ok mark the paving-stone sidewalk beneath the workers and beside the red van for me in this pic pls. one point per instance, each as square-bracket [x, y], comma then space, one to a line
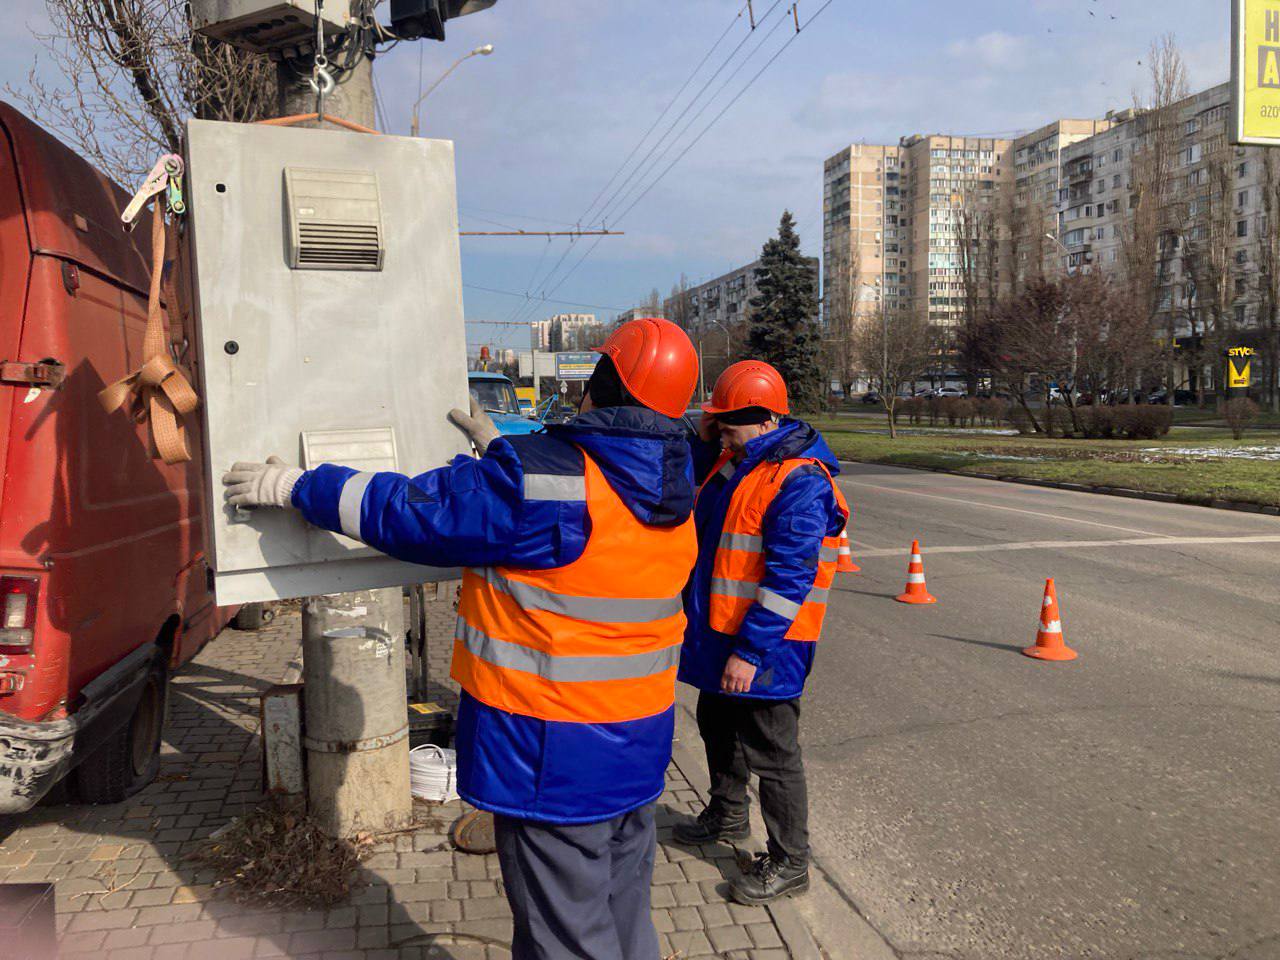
[126, 892]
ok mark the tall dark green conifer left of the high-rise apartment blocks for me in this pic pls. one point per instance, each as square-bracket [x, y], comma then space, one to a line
[784, 322]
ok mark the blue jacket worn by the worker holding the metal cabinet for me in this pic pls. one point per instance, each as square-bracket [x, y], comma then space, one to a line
[476, 514]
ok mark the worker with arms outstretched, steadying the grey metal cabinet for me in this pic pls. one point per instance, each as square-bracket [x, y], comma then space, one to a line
[577, 545]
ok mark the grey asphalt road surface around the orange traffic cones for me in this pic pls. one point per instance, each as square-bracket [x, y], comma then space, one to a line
[971, 803]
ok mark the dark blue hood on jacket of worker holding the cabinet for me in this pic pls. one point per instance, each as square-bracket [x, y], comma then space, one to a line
[643, 455]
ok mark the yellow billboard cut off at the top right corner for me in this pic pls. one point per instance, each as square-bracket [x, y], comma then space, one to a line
[1256, 72]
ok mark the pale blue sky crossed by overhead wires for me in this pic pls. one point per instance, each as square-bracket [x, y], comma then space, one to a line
[543, 124]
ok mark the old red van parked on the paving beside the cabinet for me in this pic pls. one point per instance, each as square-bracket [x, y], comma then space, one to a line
[103, 572]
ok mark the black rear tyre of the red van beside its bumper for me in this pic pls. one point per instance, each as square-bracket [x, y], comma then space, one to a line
[130, 758]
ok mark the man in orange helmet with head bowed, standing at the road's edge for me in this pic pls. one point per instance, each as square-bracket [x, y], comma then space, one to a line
[770, 520]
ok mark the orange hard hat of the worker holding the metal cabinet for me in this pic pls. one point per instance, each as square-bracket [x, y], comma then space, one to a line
[656, 362]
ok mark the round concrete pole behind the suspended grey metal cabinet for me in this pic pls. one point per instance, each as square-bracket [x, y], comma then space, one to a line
[353, 644]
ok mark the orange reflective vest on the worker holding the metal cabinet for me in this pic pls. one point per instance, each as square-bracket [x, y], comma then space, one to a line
[593, 642]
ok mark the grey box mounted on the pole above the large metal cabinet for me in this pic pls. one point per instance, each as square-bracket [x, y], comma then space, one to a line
[267, 26]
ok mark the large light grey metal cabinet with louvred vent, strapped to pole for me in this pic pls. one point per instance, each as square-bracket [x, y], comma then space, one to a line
[330, 314]
